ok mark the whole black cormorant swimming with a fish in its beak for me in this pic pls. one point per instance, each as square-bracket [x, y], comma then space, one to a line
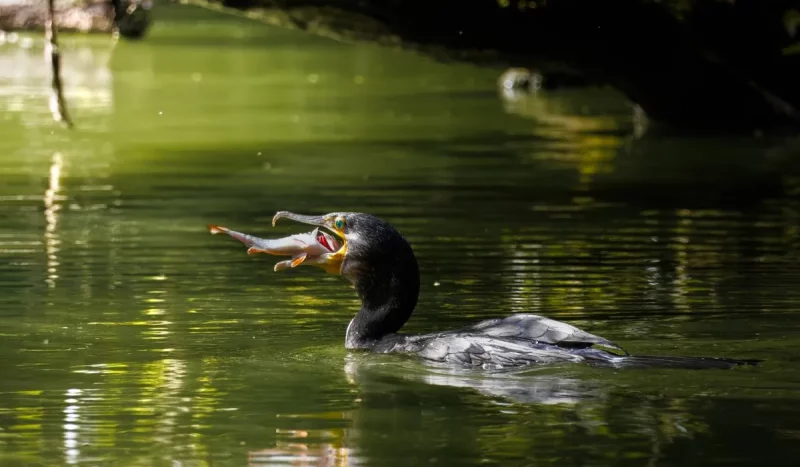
[381, 265]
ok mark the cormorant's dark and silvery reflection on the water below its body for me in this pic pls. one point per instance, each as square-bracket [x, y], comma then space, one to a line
[531, 413]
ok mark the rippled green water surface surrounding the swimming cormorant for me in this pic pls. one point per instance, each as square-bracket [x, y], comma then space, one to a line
[129, 336]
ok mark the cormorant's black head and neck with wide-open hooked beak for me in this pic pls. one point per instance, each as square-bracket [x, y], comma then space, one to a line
[379, 262]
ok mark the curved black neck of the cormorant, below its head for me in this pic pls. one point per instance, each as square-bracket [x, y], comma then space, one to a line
[387, 282]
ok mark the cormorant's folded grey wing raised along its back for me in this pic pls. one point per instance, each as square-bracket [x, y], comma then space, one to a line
[540, 329]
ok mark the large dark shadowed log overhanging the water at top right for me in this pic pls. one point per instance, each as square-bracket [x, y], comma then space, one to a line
[689, 63]
